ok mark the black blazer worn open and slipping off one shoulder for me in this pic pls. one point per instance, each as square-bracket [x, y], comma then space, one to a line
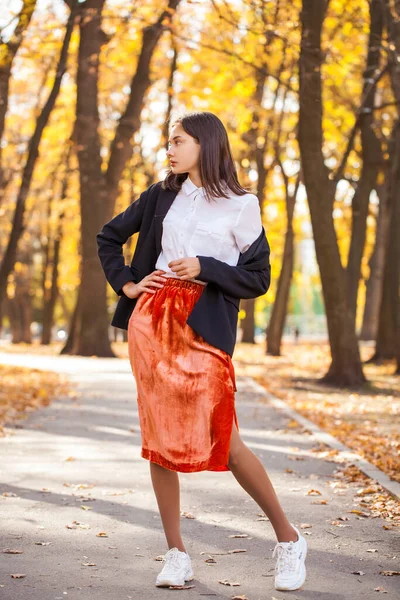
[215, 314]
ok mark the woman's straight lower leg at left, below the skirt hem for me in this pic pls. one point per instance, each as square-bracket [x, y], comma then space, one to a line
[166, 489]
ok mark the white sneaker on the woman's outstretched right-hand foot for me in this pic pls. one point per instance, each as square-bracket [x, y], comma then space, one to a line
[290, 569]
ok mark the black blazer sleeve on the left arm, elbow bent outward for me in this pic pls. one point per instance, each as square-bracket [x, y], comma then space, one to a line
[111, 239]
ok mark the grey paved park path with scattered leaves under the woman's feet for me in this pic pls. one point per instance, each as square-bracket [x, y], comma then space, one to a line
[76, 499]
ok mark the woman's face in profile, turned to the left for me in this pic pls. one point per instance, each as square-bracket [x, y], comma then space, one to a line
[183, 152]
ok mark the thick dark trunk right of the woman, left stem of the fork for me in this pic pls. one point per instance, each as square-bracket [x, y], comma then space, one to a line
[345, 369]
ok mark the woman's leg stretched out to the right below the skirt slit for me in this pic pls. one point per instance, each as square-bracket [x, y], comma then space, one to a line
[252, 476]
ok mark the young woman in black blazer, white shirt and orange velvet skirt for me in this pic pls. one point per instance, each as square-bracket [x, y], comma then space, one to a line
[201, 248]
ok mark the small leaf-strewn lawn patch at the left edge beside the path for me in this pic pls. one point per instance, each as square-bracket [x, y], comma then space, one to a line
[24, 390]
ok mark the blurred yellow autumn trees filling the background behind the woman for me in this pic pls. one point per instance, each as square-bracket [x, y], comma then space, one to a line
[310, 94]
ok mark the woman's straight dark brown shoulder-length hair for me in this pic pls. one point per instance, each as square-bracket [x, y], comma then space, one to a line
[217, 169]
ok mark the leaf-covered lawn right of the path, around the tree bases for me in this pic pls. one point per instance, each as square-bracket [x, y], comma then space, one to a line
[366, 420]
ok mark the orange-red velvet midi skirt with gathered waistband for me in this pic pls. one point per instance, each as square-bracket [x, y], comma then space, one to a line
[185, 386]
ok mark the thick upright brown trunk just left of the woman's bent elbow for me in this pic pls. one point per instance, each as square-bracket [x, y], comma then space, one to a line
[90, 334]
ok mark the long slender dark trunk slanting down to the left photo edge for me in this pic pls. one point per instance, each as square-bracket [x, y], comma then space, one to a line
[8, 261]
